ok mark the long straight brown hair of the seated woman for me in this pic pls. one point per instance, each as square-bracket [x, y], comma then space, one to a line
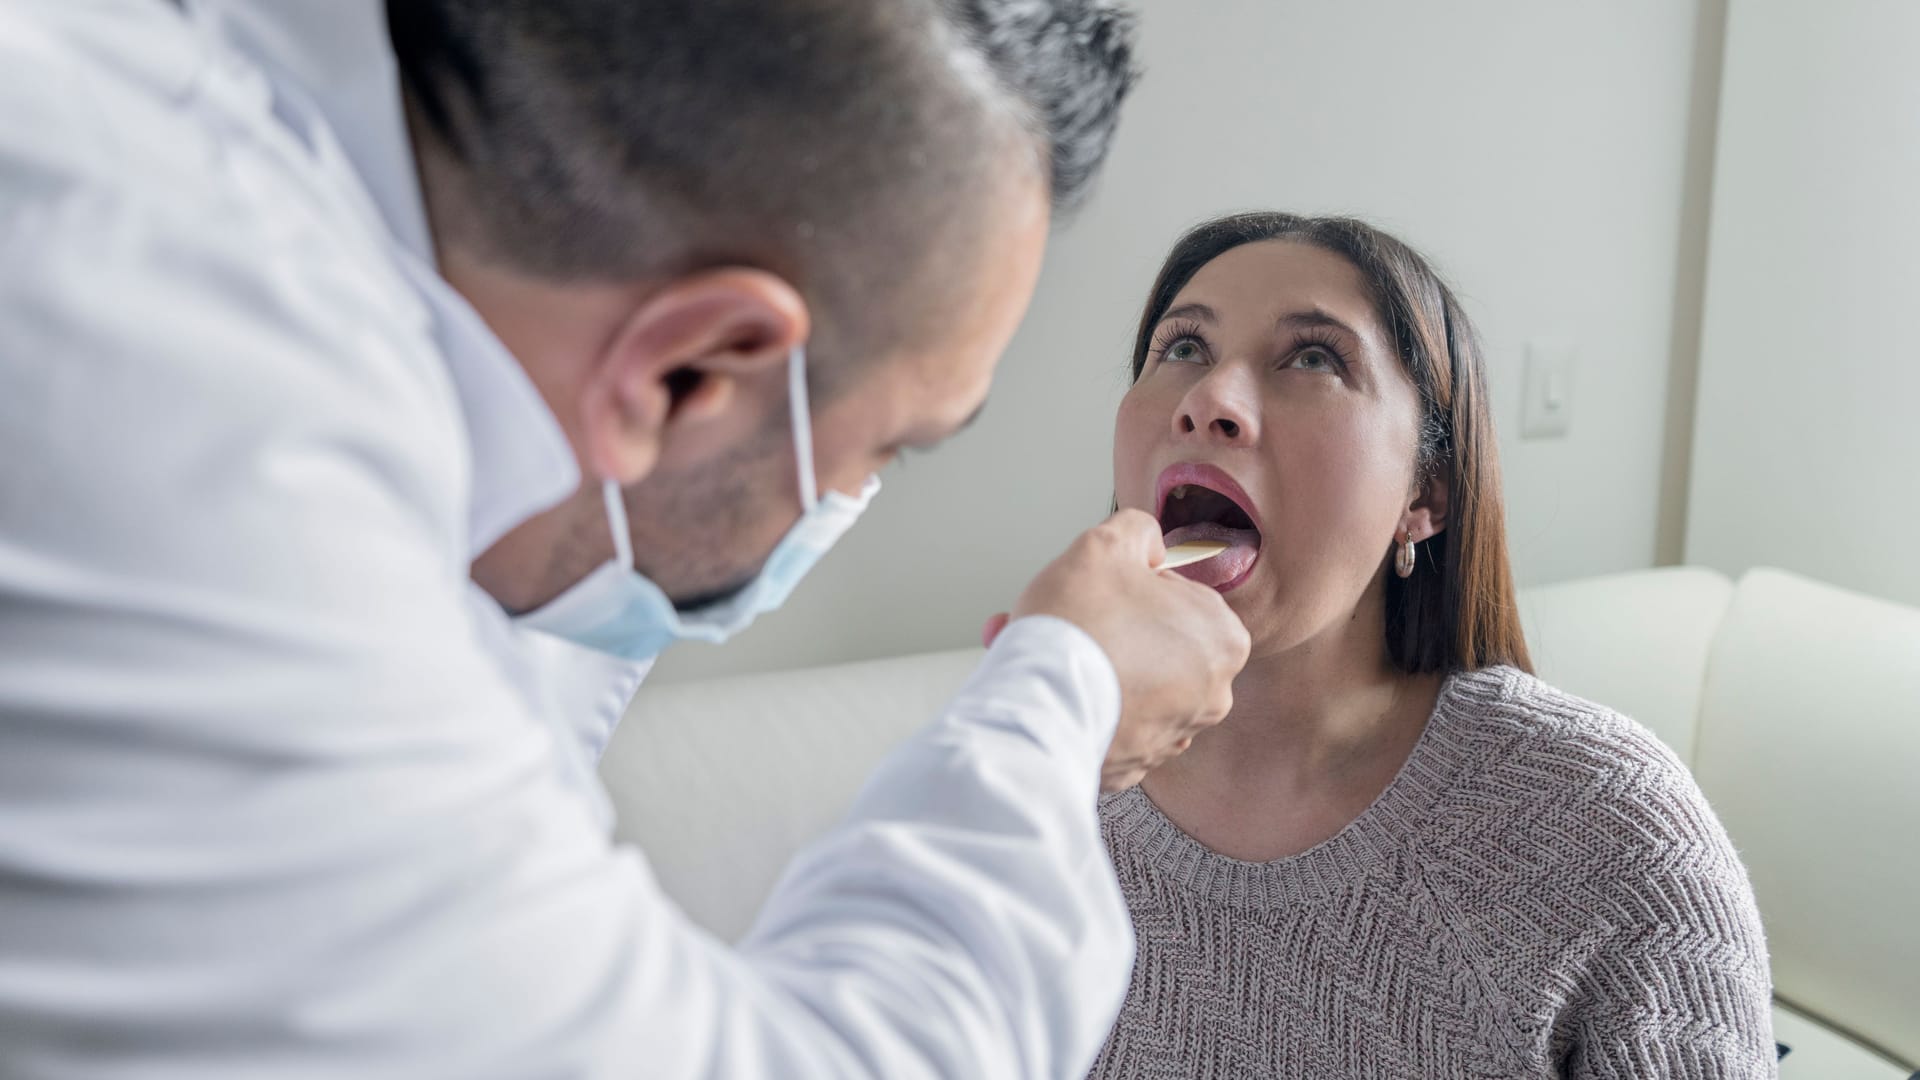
[1458, 610]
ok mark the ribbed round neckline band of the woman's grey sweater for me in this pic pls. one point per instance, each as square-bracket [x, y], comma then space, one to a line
[1366, 847]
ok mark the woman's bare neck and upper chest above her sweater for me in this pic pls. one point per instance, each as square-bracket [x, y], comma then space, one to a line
[1314, 737]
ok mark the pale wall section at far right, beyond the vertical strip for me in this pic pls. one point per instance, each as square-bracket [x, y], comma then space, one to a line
[1808, 437]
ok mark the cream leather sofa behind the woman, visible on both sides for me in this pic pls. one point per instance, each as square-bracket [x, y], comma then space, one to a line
[1796, 704]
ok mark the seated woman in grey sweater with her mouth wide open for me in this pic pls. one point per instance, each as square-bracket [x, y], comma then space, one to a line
[1403, 854]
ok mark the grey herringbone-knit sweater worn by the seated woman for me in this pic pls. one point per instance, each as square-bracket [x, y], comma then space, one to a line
[1541, 893]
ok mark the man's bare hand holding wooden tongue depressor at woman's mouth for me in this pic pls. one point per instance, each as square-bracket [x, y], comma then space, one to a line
[1174, 645]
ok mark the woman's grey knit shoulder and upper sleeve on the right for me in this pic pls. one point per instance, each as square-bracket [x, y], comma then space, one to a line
[1583, 843]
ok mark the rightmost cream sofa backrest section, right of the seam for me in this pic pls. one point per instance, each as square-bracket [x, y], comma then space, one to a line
[1810, 750]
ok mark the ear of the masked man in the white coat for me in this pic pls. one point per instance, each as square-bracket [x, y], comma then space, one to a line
[679, 364]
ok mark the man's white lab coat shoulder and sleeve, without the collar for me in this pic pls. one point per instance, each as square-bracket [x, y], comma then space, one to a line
[268, 804]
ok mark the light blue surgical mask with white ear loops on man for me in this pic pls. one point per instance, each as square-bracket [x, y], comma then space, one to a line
[621, 612]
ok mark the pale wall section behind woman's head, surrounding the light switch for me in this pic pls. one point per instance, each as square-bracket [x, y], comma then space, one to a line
[1539, 153]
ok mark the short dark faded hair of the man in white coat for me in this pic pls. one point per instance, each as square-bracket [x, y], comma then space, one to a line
[846, 145]
